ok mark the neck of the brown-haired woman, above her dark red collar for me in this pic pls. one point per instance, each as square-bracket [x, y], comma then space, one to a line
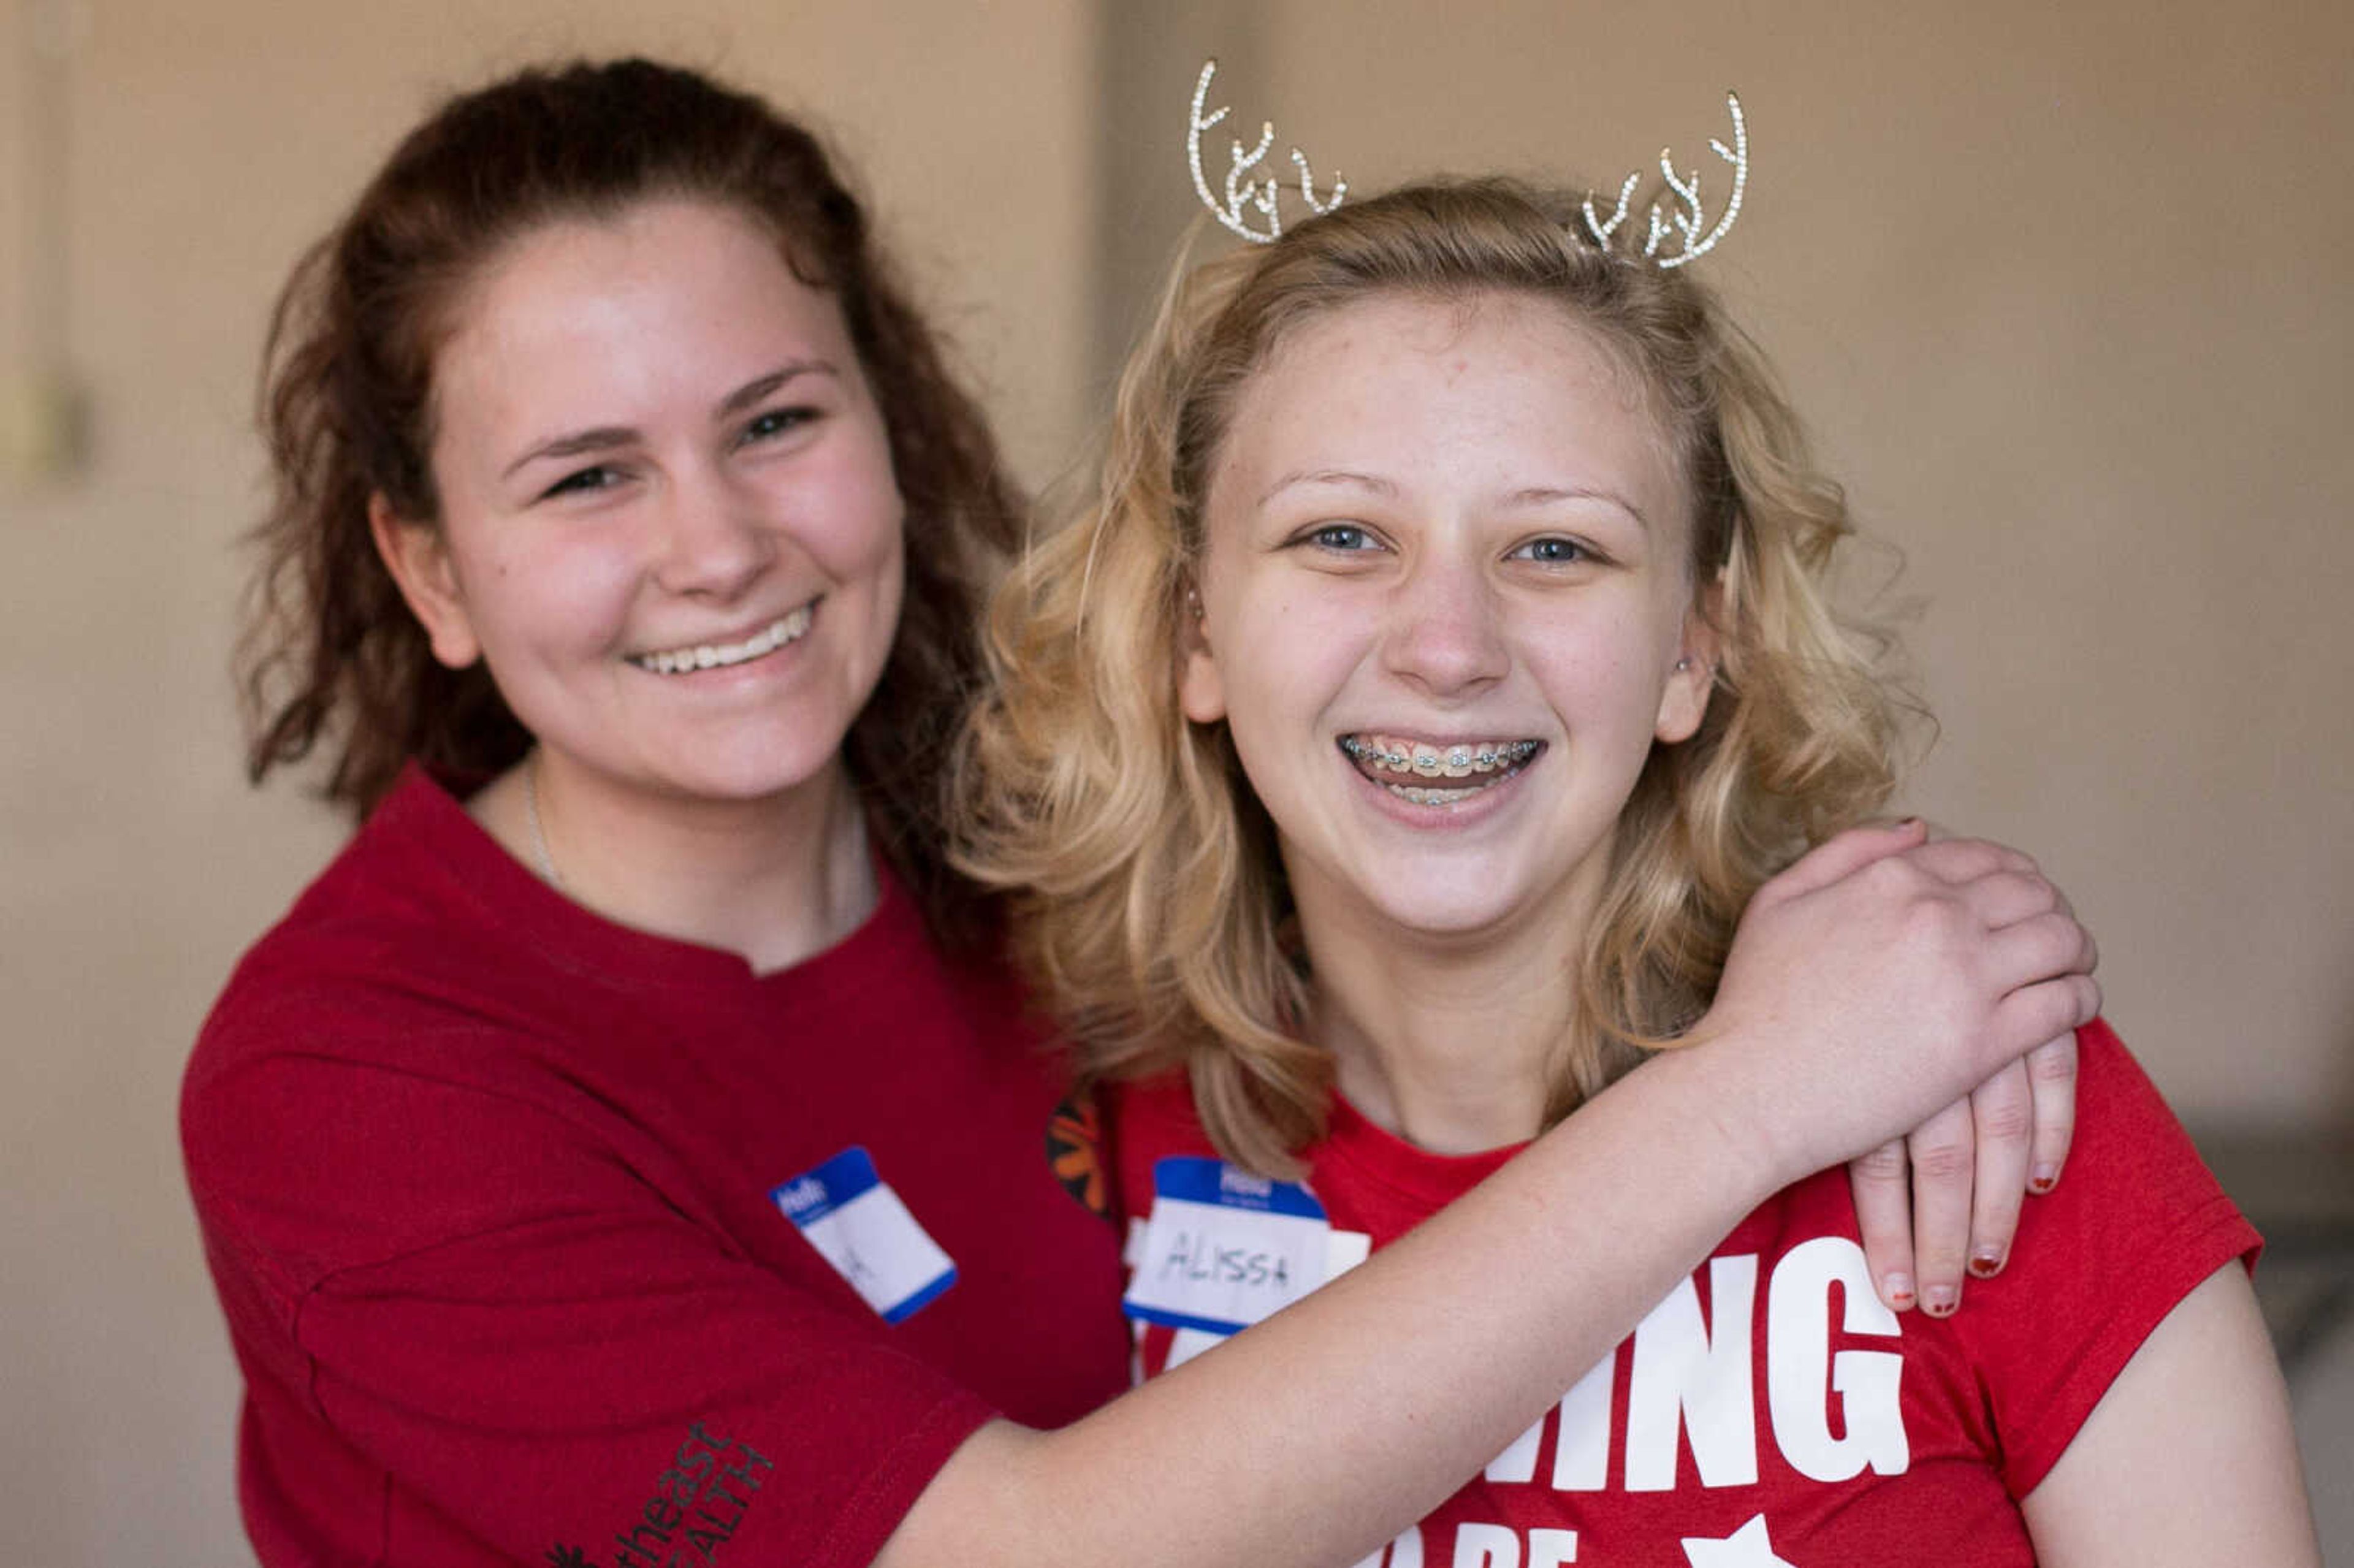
[773, 879]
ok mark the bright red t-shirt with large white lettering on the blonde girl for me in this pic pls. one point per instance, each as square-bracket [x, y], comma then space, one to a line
[1771, 1411]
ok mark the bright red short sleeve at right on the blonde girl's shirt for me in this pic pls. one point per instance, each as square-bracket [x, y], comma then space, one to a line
[2099, 1263]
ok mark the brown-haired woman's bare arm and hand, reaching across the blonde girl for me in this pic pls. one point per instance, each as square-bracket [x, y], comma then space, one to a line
[1312, 1437]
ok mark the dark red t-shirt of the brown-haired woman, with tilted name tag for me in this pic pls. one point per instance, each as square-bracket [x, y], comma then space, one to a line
[507, 1204]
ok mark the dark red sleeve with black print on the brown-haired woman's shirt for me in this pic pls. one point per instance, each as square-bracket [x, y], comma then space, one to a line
[526, 1348]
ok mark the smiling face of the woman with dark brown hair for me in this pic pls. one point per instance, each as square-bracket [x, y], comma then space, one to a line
[670, 519]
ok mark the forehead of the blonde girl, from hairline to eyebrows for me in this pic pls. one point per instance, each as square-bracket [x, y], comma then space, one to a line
[1491, 387]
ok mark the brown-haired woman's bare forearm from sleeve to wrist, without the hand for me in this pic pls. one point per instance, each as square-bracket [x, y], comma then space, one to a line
[1329, 1428]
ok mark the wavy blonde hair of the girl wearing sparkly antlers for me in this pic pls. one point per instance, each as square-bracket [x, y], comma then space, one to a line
[1150, 901]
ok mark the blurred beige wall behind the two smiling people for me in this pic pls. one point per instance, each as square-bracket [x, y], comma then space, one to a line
[2066, 293]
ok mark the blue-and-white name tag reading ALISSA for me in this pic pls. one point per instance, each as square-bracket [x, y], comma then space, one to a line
[1225, 1249]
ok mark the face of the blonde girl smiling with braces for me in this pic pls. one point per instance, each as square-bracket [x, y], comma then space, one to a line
[1444, 602]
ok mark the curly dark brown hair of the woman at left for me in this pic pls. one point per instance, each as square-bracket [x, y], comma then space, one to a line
[333, 656]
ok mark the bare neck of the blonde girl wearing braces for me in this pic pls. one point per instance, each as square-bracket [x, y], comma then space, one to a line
[1444, 1039]
